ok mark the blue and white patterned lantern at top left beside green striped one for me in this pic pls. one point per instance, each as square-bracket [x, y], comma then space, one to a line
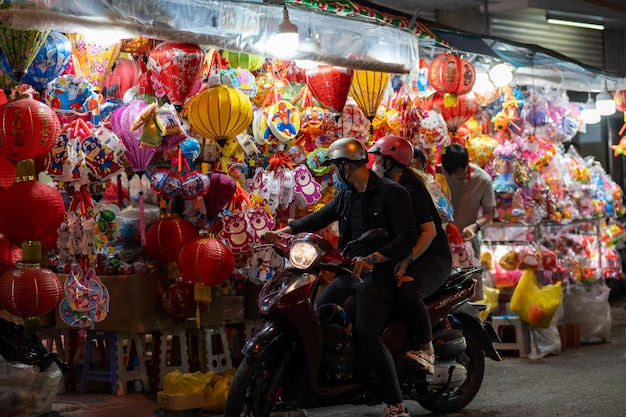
[50, 60]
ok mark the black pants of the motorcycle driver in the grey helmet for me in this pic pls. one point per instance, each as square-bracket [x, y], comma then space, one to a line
[374, 303]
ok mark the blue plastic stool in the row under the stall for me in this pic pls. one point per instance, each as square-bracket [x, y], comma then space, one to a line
[109, 373]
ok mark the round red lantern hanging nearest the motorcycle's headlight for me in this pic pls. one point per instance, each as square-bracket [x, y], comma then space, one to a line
[206, 260]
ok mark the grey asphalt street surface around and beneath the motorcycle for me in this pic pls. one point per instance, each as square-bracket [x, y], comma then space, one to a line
[585, 381]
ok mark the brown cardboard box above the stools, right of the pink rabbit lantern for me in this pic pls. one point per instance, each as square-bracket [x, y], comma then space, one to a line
[134, 304]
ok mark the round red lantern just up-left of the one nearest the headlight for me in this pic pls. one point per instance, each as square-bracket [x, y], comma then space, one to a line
[166, 238]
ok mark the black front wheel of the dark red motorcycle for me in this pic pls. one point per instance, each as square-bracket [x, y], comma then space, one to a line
[255, 387]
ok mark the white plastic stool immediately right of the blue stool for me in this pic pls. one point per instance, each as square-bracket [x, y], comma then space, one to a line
[133, 365]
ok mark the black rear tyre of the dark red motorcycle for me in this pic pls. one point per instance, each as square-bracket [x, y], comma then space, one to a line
[437, 402]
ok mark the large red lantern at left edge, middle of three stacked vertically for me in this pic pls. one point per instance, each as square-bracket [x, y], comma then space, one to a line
[29, 209]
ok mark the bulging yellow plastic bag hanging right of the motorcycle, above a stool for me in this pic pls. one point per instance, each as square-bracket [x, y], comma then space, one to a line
[533, 303]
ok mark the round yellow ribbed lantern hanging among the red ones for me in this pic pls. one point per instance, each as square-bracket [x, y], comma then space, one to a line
[220, 113]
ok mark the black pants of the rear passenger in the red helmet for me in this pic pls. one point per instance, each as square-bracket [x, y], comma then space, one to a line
[428, 274]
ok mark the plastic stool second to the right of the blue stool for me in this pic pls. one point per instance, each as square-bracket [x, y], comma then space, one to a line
[173, 353]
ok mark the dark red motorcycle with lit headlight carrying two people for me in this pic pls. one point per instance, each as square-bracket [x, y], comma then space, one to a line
[298, 358]
